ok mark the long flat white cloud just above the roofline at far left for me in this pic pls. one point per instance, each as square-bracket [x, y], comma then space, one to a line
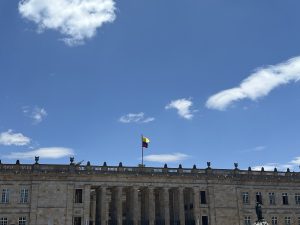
[50, 153]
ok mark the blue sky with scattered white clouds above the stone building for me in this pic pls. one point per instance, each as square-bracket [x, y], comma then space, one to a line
[203, 80]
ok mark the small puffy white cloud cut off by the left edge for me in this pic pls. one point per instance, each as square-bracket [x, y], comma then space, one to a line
[11, 138]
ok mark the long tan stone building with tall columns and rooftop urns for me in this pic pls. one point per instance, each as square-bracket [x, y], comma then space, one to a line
[73, 194]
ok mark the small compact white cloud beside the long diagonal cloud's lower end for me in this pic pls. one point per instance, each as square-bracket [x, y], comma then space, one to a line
[183, 107]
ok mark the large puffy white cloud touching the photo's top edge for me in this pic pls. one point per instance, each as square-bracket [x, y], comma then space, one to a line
[77, 20]
